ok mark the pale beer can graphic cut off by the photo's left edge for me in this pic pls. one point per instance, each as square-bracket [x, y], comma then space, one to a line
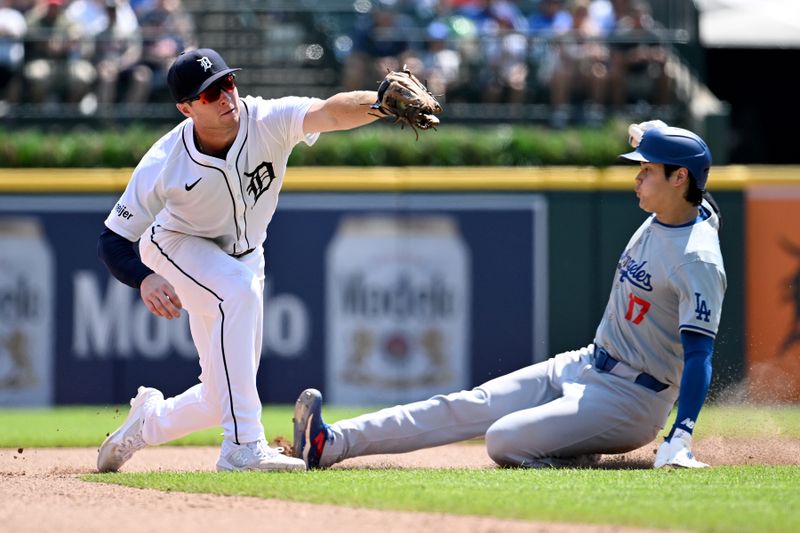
[26, 309]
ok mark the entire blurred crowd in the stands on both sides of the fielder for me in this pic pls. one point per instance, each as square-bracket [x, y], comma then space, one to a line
[586, 58]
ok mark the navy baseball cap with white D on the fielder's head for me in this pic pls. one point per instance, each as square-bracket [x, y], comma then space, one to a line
[194, 71]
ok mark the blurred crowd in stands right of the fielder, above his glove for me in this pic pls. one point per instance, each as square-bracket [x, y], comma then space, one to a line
[584, 57]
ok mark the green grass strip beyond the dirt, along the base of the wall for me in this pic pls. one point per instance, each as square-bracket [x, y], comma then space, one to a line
[88, 426]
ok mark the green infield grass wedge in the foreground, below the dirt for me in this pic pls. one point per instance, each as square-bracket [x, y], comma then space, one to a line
[758, 499]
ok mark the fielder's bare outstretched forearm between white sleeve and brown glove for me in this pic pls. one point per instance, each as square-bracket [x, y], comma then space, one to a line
[342, 111]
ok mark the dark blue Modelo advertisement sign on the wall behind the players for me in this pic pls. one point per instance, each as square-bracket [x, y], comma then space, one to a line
[373, 298]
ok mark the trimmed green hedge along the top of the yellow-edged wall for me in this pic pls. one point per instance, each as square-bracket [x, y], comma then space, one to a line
[375, 145]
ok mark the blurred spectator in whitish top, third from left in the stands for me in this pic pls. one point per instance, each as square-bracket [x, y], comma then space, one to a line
[118, 49]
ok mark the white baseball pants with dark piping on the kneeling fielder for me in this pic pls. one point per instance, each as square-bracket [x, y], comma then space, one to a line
[224, 298]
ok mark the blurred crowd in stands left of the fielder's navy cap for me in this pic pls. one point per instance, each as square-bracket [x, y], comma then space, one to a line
[89, 52]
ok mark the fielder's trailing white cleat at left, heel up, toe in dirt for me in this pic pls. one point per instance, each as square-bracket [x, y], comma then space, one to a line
[127, 439]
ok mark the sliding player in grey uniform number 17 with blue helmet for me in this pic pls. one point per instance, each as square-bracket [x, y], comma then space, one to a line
[654, 341]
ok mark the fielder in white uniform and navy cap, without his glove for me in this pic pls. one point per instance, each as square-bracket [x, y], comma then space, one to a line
[199, 204]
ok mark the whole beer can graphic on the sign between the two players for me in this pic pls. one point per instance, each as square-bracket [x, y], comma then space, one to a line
[398, 308]
